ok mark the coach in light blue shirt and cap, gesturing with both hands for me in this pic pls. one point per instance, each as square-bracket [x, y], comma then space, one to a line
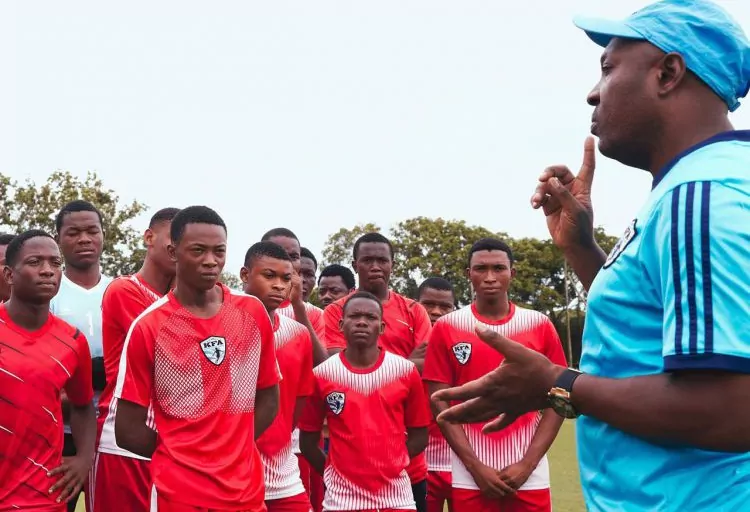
[664, 397]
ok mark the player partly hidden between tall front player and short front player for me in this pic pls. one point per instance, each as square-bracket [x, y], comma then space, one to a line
[267, 274]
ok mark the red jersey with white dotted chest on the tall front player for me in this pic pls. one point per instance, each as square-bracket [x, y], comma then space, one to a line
[202, 375]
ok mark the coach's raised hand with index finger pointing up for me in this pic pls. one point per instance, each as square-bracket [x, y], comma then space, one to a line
[566, 201]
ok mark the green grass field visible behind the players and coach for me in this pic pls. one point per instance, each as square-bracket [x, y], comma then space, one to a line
[566, 488]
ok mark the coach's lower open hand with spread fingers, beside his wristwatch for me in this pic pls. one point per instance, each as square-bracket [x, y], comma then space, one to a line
[519, 385]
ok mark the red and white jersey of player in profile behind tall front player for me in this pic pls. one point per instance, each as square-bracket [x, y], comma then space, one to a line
[124, 299]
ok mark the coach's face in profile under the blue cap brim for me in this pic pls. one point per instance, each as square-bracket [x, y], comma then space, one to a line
[624, 116]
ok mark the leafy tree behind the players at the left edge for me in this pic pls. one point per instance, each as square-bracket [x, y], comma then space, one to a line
[32, 206]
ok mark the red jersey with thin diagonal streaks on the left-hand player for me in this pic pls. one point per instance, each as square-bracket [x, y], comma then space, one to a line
[35, 366]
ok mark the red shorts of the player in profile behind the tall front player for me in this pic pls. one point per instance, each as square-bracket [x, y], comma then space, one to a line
[119, 482]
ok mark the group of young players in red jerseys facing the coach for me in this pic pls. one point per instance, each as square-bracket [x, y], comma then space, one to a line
[165, 390]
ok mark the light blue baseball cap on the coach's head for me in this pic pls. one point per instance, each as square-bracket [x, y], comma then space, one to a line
[712, 43]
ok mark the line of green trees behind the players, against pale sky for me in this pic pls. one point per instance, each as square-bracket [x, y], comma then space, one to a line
[424, 247]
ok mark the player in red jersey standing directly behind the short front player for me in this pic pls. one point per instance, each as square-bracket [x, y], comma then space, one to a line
[407, 325]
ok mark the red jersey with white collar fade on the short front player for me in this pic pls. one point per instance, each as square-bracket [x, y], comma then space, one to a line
[368, 412]
